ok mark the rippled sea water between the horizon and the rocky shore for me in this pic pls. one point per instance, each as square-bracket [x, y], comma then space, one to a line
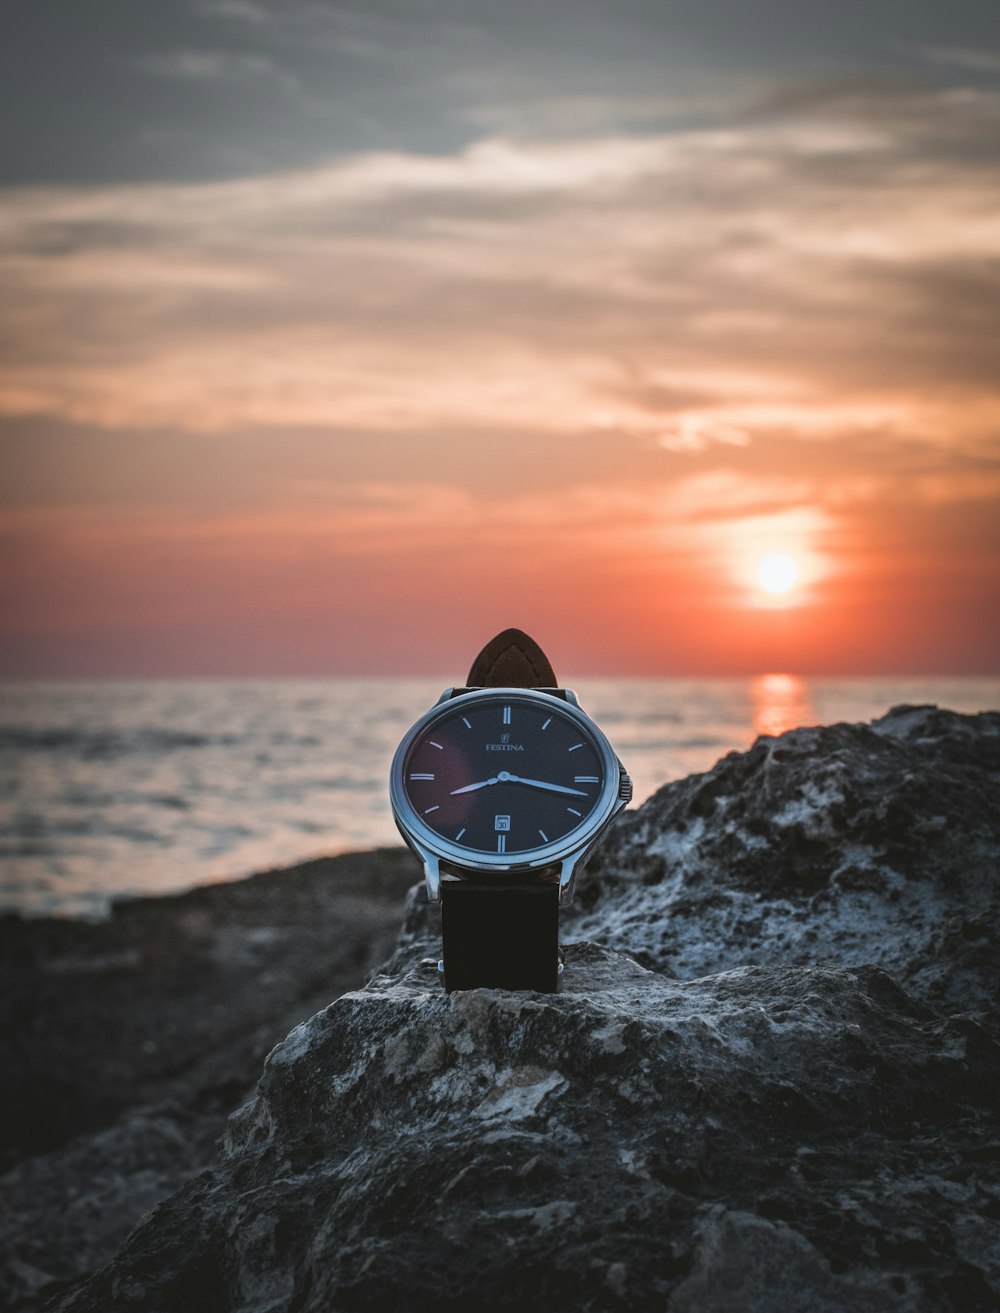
[148, 787]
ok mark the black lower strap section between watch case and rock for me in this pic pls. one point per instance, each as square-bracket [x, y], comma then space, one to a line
[501, 937]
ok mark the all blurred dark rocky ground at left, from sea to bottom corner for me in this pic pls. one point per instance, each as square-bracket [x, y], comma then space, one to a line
[128, 1043]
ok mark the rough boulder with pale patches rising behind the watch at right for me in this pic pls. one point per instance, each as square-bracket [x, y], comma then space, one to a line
[842, 845]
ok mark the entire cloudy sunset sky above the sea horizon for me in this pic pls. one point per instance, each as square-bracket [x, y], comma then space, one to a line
[335, 339]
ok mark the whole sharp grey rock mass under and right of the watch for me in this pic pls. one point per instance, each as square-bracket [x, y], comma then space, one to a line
[775, 1085]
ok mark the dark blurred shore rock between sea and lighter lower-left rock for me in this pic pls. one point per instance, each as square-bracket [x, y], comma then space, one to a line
[179, 1000]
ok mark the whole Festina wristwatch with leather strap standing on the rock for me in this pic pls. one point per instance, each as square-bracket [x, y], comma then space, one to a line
[503, 790]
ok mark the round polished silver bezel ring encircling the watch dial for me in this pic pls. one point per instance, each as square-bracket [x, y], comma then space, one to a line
[415, 830]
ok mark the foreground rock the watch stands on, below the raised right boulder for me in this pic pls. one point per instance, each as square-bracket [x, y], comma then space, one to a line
[763, 1139]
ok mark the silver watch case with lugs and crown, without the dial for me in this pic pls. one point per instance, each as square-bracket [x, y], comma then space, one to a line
[569, 854]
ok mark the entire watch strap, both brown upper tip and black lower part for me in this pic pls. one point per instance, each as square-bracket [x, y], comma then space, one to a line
[502, 936]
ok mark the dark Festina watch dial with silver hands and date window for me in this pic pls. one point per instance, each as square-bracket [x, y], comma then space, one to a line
[505, 775]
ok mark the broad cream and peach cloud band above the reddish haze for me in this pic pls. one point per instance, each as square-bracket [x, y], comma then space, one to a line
[696, 290]
